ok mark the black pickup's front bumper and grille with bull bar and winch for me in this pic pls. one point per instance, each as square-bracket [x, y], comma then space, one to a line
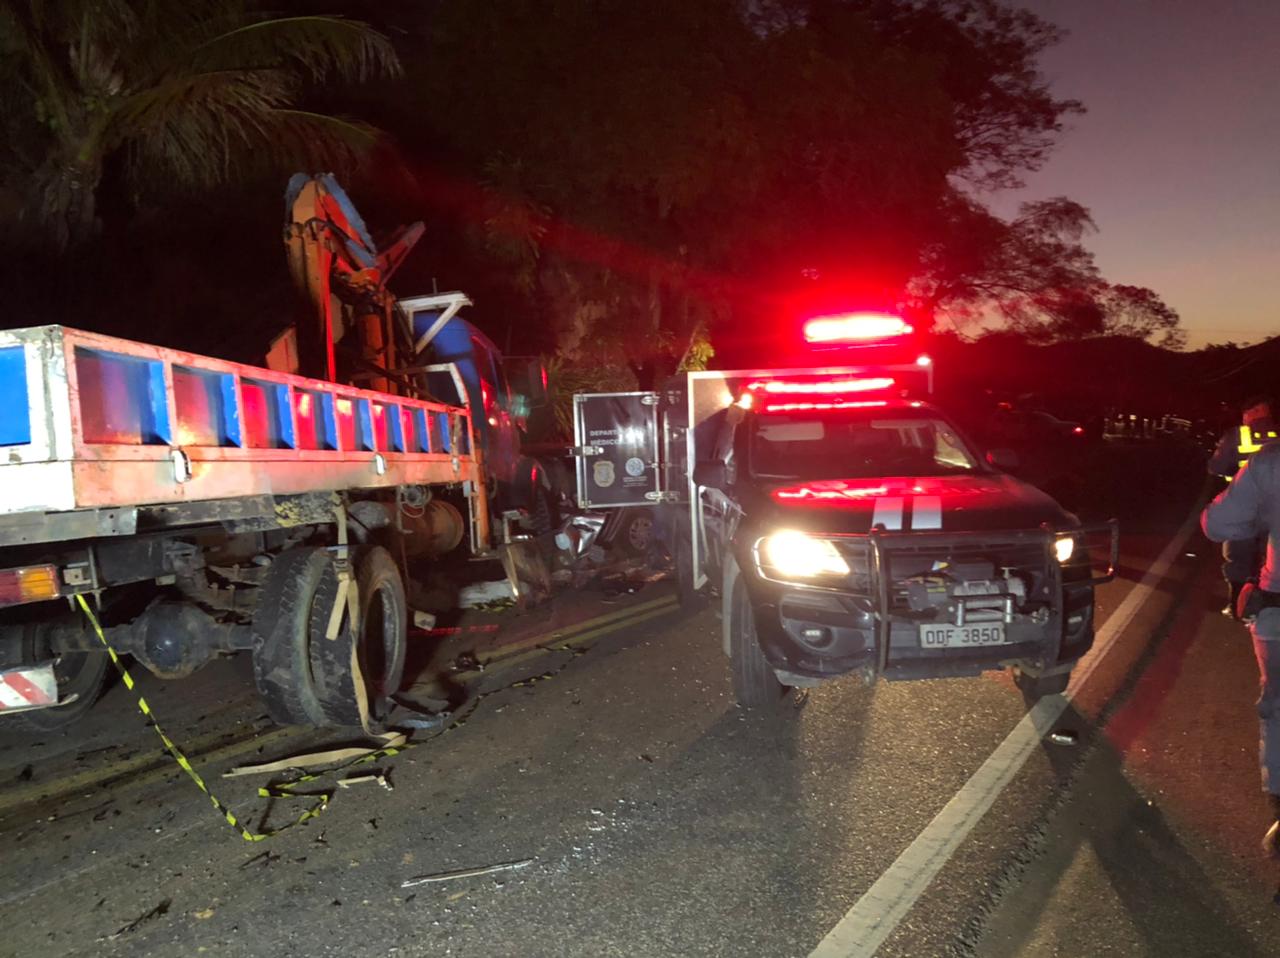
[927, 605]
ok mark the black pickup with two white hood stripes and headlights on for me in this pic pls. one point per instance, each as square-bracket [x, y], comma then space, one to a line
[868, 536]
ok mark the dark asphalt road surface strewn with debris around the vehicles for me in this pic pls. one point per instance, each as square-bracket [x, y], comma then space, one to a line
[659, 819]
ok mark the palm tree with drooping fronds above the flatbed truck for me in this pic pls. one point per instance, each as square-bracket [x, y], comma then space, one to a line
[181, 93]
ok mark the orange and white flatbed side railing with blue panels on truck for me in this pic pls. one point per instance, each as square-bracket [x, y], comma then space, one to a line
[93, 422]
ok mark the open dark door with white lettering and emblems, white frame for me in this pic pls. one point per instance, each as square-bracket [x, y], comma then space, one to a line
[616, 440]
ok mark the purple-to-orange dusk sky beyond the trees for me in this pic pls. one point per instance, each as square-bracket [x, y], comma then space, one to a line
[1180, 153]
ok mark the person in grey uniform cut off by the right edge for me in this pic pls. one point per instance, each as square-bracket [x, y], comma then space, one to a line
[1246, 510]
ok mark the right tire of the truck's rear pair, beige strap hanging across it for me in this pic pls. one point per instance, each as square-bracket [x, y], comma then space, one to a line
[382, 641]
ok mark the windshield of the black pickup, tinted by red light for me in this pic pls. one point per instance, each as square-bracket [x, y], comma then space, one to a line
[856, 445]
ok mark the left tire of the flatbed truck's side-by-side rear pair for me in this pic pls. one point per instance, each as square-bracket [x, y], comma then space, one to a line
[282, 635]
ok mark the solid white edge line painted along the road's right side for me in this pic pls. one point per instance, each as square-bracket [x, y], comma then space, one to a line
[877, 914]
